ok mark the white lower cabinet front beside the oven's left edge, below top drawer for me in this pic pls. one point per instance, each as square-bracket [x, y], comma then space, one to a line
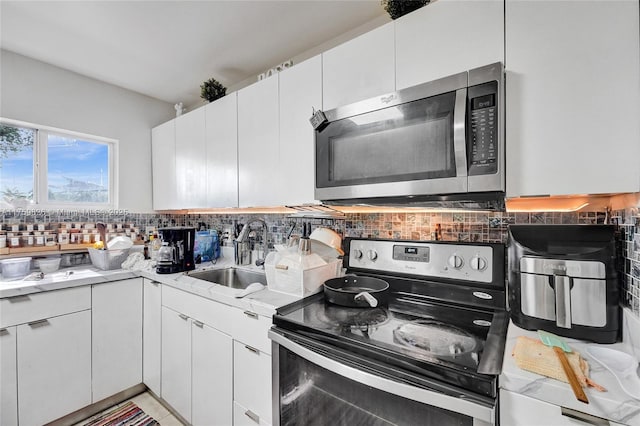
[252, 379]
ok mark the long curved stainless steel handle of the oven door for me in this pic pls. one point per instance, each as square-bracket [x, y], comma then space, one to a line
[451, 403]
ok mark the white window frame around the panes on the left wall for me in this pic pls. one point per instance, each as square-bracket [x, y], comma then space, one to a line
[40, 172]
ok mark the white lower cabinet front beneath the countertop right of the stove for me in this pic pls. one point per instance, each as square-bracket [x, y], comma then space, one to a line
[521, 410]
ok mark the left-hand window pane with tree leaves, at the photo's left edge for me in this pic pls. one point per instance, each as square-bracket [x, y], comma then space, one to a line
[16, 165]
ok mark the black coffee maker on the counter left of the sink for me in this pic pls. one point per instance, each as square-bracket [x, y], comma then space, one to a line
[176, 252]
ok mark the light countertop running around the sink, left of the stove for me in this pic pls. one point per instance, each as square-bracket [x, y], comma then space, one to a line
[263, 302]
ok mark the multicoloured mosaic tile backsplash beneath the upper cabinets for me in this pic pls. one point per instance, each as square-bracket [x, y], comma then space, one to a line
[455, 226]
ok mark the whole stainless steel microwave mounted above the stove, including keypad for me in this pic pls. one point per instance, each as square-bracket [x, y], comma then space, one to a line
[436, 142]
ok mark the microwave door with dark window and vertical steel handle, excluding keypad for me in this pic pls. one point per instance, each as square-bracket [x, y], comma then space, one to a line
[411, 142]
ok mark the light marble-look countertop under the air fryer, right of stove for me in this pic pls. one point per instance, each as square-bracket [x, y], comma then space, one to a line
[614, 404]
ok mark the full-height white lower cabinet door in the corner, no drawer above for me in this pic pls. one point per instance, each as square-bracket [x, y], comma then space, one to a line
[116, 337]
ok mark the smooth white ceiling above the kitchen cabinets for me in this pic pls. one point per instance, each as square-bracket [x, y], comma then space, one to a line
[166, 49]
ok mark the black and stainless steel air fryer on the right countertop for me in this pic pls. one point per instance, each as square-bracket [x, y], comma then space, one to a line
[562, 278]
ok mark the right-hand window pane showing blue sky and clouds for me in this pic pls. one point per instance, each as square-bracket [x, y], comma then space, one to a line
[77, 170]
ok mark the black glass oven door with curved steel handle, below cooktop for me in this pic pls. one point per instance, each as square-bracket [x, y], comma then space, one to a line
[316, 384]
